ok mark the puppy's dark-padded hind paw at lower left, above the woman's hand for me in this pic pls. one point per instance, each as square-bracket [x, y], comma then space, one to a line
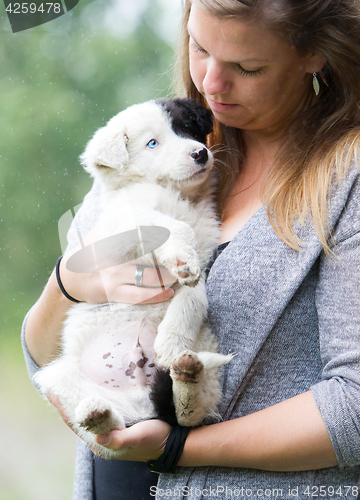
[97, 417]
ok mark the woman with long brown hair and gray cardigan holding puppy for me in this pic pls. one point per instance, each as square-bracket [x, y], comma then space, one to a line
[282, 79]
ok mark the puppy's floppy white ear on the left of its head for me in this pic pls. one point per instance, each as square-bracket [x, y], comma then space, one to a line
[107, 148]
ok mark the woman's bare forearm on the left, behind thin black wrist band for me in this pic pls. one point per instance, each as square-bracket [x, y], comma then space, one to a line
[43, 326]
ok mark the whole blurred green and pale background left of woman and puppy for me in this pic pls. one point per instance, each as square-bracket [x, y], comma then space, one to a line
[59, 82]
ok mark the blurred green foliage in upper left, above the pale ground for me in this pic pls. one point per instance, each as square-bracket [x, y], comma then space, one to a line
[58, 83]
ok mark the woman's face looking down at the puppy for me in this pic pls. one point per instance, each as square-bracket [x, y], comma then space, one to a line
[250, 78]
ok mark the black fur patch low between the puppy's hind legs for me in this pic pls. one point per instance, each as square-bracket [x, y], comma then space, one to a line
[162, 397]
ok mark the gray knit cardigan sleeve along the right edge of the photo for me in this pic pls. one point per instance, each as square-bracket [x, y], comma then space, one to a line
[337, 395]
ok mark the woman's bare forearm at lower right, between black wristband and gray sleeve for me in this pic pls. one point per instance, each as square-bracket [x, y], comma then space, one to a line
[289, 436]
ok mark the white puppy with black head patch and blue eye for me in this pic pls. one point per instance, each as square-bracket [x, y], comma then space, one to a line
[157, 211]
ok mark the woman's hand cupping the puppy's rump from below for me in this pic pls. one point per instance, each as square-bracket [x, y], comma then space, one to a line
[143, 441]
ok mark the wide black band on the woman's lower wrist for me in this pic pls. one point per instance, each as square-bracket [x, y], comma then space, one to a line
[173, 449]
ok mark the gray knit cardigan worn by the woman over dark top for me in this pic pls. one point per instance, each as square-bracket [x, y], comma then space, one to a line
[294, 318]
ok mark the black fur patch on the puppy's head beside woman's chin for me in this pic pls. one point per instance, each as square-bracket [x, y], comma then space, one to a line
[188, 118]
